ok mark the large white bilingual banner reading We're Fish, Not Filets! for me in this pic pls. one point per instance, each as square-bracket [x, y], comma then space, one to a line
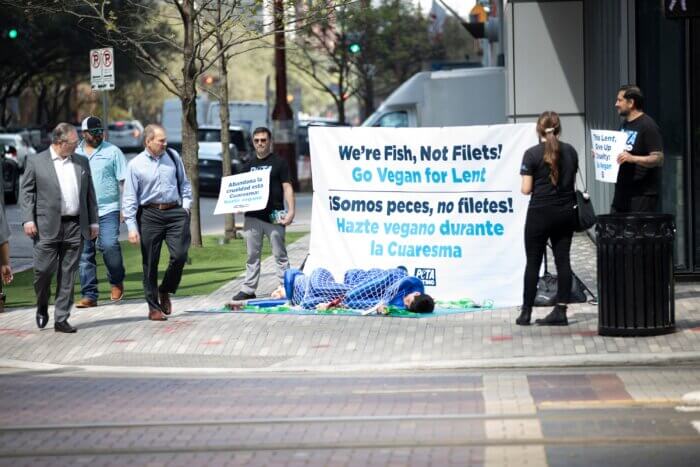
[443, 202]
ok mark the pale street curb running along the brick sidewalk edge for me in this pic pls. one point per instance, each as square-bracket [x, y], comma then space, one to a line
[572, 361]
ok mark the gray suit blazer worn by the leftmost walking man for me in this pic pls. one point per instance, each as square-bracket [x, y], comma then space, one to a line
[40, 195]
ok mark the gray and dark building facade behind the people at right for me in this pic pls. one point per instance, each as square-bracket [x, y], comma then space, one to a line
[571, 56]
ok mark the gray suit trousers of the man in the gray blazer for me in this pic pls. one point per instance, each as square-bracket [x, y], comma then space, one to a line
[59, 255]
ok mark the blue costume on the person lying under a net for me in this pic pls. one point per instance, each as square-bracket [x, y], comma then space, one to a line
[361, 289]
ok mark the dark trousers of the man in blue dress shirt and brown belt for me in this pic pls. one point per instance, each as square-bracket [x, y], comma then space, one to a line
[173, 226]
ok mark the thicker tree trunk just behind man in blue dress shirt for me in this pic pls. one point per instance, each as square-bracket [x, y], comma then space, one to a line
[190, 145]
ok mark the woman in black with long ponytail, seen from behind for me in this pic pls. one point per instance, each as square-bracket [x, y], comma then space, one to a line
[548, 175]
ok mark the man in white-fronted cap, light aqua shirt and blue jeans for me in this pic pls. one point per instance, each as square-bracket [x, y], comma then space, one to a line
[108, 167]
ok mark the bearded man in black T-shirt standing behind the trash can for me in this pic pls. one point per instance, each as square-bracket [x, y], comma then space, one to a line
[637, 187]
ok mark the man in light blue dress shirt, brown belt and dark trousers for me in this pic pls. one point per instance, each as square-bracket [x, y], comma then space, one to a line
[156, 207]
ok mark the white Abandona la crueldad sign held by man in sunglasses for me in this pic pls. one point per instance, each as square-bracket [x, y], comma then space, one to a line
[244, 192]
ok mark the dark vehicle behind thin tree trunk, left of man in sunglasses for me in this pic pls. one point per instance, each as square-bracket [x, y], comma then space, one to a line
[210, 158]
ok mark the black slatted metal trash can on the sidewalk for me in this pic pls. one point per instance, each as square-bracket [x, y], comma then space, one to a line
[635, 274]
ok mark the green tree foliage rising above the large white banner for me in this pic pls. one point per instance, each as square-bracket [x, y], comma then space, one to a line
[393, 40]
